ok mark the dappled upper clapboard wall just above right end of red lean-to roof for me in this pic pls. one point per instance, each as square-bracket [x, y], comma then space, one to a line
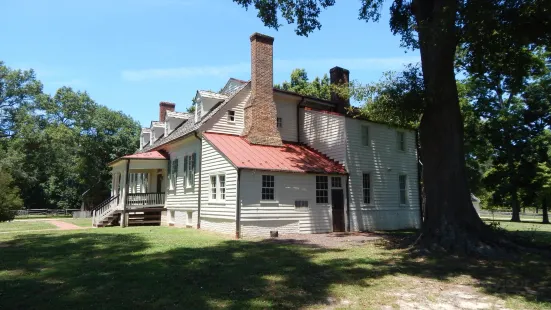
[324, 132]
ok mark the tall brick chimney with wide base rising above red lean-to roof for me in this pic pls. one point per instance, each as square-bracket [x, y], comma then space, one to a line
[260, 111]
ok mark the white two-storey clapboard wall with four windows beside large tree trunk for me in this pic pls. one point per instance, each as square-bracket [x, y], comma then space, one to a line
[385, 163]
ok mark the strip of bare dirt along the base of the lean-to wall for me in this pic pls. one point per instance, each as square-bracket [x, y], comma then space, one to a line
[331, 240]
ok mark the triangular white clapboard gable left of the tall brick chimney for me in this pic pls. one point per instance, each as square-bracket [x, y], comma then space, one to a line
[220, 123]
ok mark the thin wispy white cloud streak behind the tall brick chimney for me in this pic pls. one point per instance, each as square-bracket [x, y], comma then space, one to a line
[280, 65]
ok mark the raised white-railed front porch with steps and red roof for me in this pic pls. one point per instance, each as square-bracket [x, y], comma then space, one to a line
[137, 191]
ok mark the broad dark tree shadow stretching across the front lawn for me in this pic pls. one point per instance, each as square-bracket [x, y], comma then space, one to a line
[125, 271]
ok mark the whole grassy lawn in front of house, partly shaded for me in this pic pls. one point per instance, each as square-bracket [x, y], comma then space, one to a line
[168, 268]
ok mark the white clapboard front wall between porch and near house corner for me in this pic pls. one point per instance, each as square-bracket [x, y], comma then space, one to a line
[183, 199]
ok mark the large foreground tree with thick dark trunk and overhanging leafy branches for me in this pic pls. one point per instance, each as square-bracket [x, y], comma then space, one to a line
[437, 28]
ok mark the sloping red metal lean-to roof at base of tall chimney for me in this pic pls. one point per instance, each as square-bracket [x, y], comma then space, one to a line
[290, 157]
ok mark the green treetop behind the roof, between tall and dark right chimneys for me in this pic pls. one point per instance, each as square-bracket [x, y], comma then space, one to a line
[319, 88]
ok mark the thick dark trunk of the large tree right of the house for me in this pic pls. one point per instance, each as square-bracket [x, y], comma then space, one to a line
[451, 222]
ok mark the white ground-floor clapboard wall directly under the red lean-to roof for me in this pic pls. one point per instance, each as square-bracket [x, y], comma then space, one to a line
[258, 217]
